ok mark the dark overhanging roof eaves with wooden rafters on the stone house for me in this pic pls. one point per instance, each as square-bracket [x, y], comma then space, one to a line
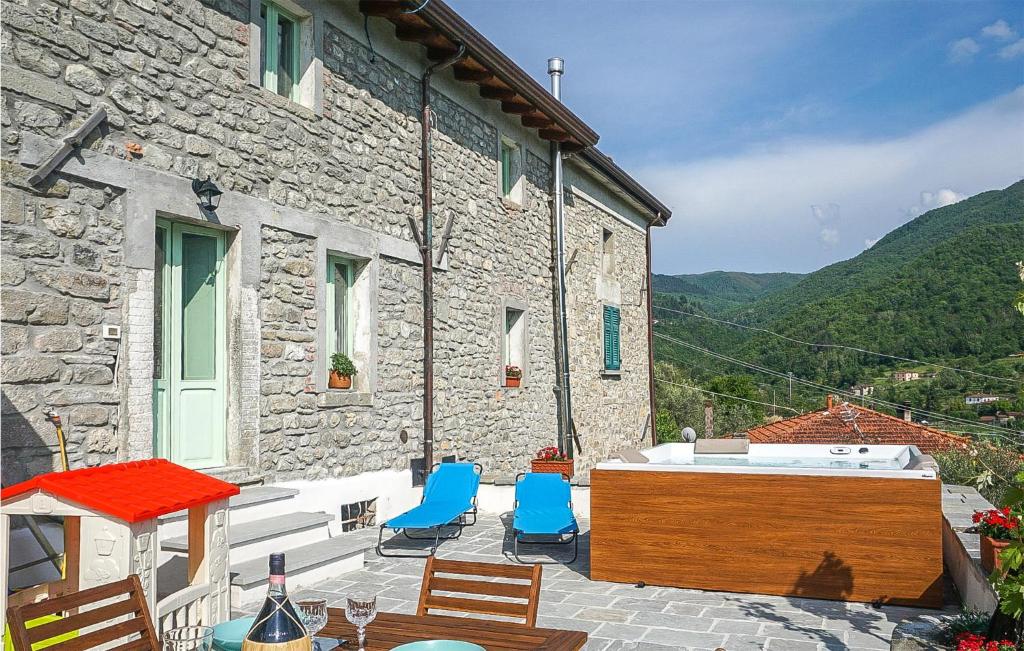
[441, 30]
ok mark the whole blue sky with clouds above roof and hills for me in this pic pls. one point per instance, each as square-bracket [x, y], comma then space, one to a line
[785, 136]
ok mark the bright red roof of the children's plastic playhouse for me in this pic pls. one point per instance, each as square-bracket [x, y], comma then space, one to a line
[132, 492]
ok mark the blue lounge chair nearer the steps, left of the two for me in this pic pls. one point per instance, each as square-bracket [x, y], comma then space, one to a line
[448, 499]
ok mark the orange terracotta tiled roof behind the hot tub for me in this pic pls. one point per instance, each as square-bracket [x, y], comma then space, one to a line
[834, 426]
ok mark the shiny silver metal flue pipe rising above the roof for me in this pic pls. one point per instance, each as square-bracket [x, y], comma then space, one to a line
[556, 68]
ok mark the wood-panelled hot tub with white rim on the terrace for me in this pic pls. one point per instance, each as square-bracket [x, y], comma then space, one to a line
[844, 523]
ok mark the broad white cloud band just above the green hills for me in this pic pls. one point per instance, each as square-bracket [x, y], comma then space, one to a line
[749, 211]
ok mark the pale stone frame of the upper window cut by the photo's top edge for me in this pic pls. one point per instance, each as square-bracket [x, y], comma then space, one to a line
[311, 85]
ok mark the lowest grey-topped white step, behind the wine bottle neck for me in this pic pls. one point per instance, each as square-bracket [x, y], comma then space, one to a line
[307, 567]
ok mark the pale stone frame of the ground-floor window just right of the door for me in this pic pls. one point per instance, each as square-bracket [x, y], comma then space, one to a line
[363, 320]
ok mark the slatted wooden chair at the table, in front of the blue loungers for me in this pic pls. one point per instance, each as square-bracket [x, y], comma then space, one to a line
[517, 600]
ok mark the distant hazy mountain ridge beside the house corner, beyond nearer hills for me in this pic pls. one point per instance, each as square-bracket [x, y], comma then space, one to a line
[719, 291]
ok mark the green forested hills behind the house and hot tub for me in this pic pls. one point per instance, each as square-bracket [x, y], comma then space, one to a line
[940, 290]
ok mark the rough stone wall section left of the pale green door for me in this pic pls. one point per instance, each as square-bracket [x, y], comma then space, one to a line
[61, 282]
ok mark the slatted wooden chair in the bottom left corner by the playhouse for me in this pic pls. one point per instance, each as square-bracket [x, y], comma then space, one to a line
[134, 604]
